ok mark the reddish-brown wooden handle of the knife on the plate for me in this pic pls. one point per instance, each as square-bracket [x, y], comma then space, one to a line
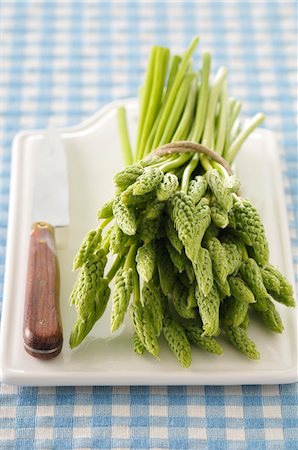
[42, 327]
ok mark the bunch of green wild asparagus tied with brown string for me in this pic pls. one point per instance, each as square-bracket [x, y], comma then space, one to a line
[191, 258]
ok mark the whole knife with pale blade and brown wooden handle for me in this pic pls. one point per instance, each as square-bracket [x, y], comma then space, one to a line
[42, 325]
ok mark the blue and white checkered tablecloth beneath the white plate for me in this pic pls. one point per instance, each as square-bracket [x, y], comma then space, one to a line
[67, 59]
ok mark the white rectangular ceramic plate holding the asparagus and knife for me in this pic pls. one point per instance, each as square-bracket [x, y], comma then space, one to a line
[94, 155]
